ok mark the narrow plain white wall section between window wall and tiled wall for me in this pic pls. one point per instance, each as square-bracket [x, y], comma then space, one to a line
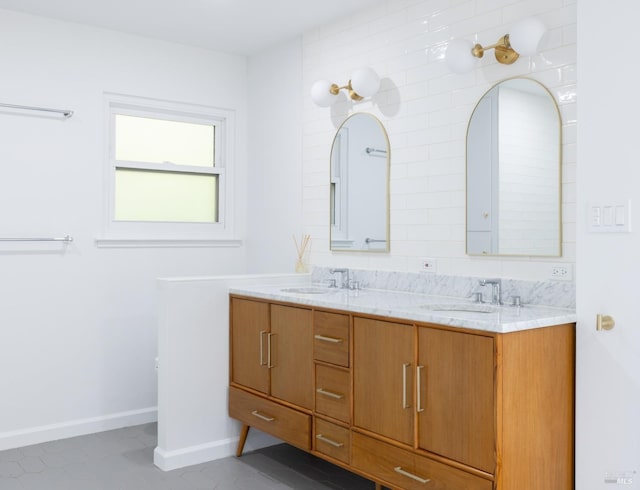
[275, 158]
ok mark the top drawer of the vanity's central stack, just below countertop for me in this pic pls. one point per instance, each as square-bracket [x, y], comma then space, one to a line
[331, 338]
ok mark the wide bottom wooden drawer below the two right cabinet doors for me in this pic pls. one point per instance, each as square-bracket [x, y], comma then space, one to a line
[407, 470]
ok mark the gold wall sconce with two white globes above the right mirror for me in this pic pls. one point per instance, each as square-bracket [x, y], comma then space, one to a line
[524, 39]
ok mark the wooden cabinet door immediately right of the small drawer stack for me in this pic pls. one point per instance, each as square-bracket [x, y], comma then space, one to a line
[383, 378]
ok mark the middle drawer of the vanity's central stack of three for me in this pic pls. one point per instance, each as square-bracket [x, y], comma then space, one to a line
[333, 392]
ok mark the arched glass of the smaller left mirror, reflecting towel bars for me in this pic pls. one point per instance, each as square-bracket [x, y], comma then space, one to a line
[359, 201]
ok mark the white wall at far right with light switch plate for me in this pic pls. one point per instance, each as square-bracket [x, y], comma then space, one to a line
[608, 265]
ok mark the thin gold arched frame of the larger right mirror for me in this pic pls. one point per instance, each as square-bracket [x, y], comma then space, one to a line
[560, 166]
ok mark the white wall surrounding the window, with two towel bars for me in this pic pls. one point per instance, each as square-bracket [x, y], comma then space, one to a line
[78, 326]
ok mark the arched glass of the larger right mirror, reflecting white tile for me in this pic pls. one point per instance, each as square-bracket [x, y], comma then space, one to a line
[514, 172]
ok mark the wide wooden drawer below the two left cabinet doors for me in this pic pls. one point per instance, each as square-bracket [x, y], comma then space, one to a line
[282, 422]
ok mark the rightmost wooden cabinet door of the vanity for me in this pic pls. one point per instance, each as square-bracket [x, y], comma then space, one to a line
[456, 412]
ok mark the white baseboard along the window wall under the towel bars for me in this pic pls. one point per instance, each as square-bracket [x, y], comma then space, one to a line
[73, 428]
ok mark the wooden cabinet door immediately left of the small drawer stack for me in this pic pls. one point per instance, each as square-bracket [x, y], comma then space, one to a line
[292, 355]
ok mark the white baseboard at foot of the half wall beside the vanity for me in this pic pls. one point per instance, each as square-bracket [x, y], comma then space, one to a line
[171, 460]
